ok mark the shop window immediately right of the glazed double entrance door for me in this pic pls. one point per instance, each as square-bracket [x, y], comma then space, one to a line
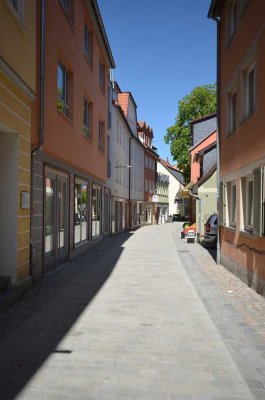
[80, 213]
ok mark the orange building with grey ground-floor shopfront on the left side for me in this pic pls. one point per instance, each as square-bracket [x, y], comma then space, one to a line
[69, 135]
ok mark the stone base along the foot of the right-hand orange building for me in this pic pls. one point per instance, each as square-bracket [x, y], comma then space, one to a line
[248, 277]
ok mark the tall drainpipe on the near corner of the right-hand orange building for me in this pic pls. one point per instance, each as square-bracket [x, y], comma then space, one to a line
[219, 203]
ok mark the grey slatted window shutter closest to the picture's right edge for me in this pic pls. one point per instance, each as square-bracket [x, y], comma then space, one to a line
[258, 201]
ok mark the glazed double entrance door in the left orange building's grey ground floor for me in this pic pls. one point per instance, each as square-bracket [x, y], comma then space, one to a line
[56, 220]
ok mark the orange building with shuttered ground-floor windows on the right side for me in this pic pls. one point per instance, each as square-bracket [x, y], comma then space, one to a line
[242, 139]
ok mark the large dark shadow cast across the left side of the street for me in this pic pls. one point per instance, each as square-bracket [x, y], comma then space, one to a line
[32, 329]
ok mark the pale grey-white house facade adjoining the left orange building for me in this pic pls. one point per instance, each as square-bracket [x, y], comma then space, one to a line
[127, 158]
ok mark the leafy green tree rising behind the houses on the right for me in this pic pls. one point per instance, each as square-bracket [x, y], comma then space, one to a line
[201, 101]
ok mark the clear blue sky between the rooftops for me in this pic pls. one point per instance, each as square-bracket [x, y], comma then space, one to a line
[162, 51]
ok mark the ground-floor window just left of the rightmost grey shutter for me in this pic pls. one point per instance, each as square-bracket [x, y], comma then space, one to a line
[247, 192]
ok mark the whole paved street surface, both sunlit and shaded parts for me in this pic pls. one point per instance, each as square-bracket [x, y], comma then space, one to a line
[141, 316]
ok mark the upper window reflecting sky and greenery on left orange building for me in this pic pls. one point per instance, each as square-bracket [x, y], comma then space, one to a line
[63, 89]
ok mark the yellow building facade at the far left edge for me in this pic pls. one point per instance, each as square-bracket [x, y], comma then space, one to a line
[17, 92]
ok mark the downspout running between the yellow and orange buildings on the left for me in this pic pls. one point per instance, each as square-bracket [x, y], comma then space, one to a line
[41, 111]
